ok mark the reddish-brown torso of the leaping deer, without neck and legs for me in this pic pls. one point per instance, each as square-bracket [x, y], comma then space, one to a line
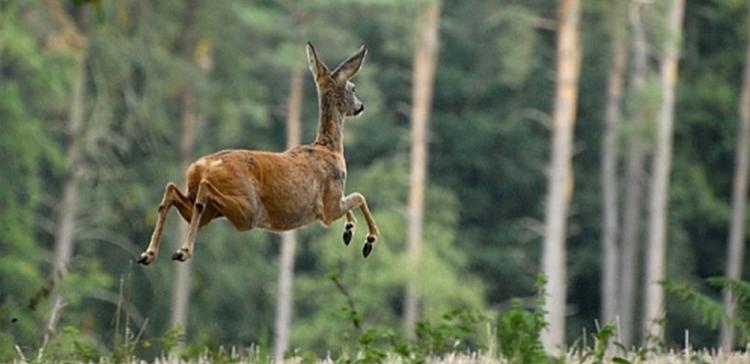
[284, 190]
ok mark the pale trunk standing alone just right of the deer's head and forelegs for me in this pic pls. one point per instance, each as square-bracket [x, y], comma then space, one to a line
[423, 76]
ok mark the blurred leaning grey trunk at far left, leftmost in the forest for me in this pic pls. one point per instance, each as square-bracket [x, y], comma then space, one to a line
[66, 221]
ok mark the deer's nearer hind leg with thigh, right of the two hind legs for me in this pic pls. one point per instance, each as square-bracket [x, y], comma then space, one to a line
[209, 203]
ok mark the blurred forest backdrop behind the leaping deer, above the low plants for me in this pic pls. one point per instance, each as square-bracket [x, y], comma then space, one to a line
[104, 102]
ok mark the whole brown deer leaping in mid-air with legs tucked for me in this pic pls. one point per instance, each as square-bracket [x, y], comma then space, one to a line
[277, 191]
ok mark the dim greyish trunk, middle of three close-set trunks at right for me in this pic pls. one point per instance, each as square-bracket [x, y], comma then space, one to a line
[633, 184]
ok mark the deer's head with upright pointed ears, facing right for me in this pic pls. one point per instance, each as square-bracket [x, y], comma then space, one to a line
[336, 89]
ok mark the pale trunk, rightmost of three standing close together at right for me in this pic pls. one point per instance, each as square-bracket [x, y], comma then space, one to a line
[658, 207]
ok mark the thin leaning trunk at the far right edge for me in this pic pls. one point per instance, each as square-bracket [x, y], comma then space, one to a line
[736, 246]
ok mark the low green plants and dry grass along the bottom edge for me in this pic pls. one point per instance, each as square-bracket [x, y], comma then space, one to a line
[460, 336]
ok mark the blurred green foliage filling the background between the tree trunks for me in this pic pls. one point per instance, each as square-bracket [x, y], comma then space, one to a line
[488, 147]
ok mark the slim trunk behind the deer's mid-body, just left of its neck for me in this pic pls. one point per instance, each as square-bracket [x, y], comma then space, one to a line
[288, 238]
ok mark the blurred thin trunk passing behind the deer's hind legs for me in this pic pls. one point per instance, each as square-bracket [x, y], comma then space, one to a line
[181, 286]
